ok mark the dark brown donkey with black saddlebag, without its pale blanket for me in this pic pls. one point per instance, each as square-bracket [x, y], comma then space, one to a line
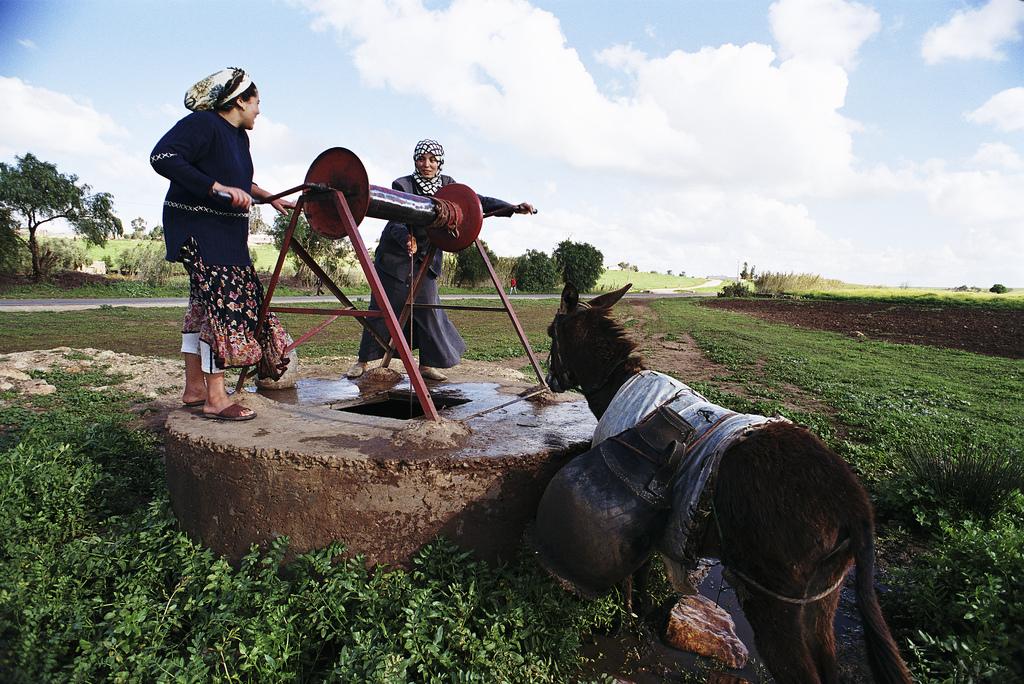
[787, 517]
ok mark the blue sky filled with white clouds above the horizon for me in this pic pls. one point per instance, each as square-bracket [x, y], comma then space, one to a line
[877, 143]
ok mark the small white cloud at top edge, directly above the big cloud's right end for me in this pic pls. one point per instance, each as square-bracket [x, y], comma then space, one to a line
[832, 31]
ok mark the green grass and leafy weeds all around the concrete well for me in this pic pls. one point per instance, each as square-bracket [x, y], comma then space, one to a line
[956, 577]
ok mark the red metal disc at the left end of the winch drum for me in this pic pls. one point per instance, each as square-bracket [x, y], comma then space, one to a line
[339, 169]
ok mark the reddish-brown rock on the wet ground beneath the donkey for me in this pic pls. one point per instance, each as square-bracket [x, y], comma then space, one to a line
[698, 626]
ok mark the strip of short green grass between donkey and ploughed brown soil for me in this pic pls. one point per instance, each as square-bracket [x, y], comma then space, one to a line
[883, 396]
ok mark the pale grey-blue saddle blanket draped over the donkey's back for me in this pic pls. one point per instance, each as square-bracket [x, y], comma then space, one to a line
[708, 433]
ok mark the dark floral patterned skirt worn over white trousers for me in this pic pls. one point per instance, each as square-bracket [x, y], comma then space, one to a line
[224, 309]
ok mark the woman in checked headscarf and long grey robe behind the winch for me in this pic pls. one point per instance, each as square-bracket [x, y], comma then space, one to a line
[440, 344]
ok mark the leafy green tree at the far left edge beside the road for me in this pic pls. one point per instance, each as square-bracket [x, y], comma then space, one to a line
[36, 193]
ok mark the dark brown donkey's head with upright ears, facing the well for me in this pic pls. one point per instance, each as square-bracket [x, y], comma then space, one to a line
[588, 348]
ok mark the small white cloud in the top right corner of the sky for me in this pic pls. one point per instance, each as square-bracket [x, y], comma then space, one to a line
[975, 34]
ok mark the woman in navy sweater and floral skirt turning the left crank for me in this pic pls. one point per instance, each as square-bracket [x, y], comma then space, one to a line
[206, 227]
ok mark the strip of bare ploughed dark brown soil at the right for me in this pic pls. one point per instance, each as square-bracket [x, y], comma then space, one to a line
[997, 332]
